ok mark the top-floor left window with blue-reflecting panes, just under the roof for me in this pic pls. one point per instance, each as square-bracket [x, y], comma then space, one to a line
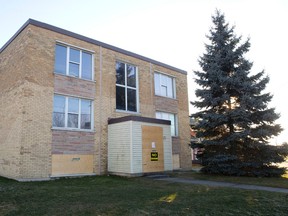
[73, 62]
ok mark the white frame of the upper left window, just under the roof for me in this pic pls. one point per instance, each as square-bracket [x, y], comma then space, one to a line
[80, 63]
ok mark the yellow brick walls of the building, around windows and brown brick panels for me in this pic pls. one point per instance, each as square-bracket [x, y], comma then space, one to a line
[27, 78]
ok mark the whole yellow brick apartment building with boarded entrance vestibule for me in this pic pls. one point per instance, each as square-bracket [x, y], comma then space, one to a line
[71, 105]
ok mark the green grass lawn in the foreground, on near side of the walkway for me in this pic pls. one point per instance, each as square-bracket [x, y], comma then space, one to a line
[110, 195]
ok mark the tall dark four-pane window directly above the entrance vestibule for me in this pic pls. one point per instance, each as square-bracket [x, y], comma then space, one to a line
[126, 87]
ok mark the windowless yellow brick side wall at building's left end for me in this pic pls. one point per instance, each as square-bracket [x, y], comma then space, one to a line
[11, 81]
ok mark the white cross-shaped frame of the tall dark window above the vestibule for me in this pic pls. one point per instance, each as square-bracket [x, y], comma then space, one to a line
[129, 87]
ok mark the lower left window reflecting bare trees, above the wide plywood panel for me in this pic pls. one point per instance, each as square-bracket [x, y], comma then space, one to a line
[71, 112]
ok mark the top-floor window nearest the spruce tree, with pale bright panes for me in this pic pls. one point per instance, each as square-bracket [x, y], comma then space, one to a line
[164, 85]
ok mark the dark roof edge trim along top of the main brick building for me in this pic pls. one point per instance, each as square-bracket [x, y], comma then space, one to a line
[89, 40]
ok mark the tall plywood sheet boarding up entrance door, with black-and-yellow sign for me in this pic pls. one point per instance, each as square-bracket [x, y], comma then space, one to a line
[152, 141]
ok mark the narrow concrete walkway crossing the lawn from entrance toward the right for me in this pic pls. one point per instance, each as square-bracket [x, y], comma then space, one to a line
[221, 184]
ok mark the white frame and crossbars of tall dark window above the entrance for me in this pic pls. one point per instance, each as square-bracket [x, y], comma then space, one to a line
[126, 87]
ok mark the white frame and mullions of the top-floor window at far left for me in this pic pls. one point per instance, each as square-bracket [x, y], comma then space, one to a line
[80, 60]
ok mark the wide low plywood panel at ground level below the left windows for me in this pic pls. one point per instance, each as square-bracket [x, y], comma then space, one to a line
[71, 164]
